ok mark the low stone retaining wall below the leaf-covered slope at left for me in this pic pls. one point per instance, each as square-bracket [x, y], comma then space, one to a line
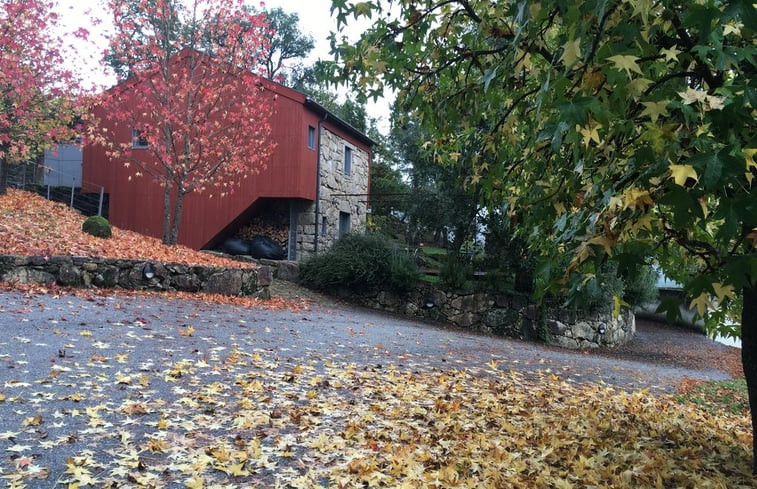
[80, 271]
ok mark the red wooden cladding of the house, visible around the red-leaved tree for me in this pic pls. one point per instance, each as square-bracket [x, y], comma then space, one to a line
[136, 203]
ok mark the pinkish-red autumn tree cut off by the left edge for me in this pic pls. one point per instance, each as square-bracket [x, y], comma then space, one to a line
[36, 107]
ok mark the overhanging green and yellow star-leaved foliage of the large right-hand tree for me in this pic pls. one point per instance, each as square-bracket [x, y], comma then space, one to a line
[610, 129]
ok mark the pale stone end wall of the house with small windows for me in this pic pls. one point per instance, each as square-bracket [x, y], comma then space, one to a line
[340, 194]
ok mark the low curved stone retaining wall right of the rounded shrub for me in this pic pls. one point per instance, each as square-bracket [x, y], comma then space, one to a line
[507, 315]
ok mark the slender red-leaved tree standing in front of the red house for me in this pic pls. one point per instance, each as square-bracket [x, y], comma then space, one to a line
[191, 97]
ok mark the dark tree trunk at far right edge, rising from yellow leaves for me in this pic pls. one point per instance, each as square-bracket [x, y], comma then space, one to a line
[749, 358]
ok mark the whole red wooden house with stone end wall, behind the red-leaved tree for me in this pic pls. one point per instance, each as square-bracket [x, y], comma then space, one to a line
[315, 184]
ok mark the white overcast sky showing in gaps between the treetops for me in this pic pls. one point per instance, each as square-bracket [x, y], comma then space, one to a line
[314, 15]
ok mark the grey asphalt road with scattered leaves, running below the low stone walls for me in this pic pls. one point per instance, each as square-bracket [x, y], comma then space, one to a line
[67, 360]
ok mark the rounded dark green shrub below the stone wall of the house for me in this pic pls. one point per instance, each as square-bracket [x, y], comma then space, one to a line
[360, 262]
